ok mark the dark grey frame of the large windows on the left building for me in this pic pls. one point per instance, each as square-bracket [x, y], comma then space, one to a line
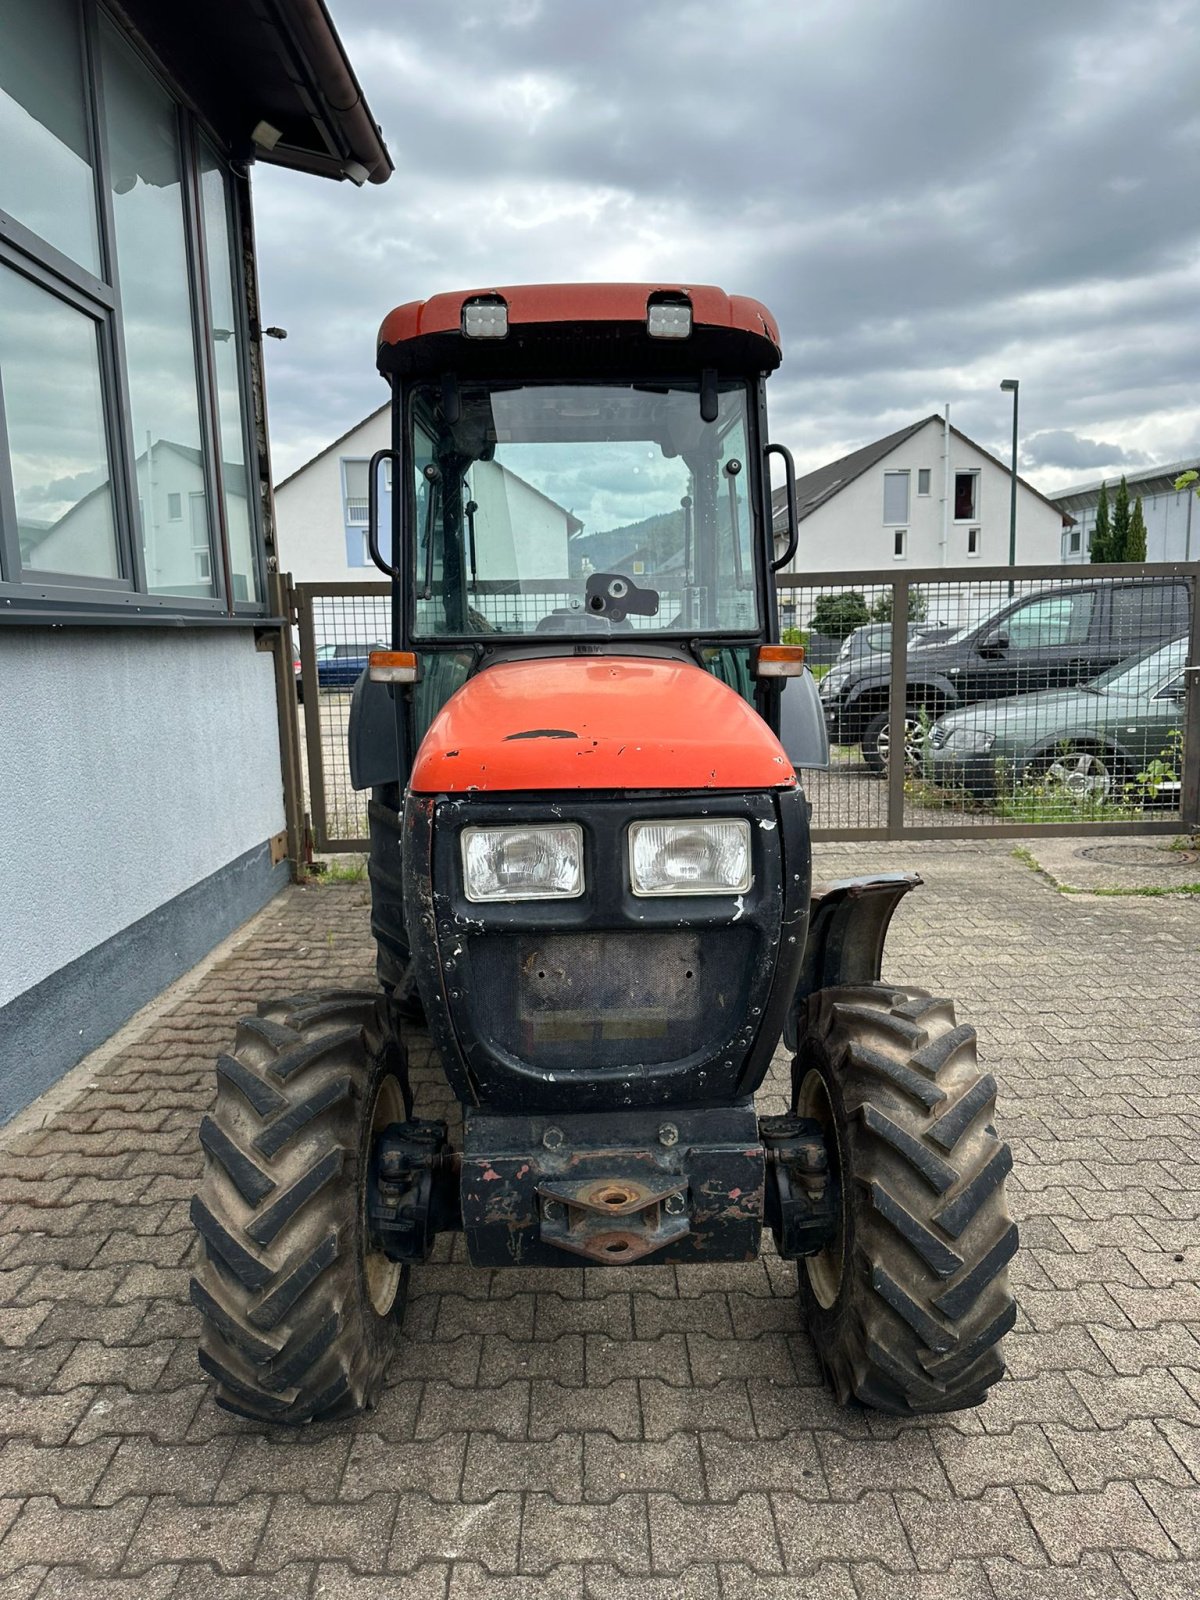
[28, 594]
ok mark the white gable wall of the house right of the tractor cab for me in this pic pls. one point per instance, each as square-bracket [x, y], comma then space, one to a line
[849, 530]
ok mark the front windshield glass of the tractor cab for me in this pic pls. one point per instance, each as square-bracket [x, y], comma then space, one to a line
[580, 510]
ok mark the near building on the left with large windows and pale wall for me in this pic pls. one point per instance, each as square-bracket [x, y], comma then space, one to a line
[142, 783]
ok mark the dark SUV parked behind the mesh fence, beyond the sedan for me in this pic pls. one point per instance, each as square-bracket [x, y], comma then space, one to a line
[1055, 639]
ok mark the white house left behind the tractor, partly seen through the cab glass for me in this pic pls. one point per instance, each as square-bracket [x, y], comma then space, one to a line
[321, 514]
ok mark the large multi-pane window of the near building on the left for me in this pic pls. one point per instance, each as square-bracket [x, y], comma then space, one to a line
[126, 430]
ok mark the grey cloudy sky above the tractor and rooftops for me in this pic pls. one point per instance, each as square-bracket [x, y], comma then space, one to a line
[930, 198]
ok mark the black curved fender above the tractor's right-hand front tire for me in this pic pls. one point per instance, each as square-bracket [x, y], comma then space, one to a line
[847, 929]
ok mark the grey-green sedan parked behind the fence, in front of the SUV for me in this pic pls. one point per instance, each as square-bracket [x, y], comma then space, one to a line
[1090, 742]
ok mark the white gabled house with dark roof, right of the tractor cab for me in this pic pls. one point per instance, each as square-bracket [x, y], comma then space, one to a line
[924, 497]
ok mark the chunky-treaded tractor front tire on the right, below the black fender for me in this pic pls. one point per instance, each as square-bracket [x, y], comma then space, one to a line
[910, 1302]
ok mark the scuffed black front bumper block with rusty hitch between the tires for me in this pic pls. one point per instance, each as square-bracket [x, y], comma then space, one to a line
[567, 1191]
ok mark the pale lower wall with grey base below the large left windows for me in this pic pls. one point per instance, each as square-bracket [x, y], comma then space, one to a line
[140, 785]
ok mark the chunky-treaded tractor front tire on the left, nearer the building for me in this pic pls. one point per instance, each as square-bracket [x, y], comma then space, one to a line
[300, 1314]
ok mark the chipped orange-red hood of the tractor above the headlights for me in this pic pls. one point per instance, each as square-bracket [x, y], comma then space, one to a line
[610, 722]
